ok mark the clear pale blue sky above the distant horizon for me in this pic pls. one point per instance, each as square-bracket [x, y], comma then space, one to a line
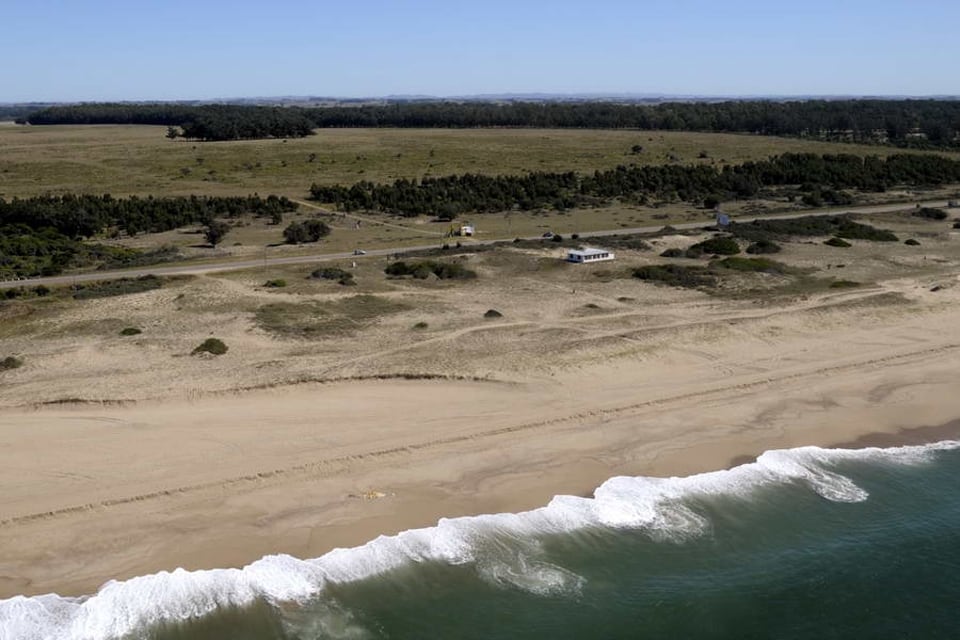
[63, 50]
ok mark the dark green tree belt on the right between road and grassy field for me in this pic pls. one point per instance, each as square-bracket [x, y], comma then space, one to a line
[448, 196]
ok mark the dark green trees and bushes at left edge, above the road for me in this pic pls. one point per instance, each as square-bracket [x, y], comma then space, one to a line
[41, 235]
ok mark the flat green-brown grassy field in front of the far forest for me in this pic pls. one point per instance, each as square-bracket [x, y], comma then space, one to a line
[126, 160]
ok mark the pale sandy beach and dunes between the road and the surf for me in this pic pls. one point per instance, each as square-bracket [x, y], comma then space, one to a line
[298, 442]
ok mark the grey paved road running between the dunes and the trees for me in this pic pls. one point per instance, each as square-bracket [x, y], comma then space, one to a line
[236, 265]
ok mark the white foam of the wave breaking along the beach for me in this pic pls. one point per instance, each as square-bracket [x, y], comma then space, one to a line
[502, 546]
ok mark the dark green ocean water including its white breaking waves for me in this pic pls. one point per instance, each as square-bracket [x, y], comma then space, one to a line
[803, 543]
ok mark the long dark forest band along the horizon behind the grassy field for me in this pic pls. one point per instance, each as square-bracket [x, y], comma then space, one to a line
[911, 123]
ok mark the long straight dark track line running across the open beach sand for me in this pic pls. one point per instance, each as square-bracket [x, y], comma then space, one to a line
[331, 466]
